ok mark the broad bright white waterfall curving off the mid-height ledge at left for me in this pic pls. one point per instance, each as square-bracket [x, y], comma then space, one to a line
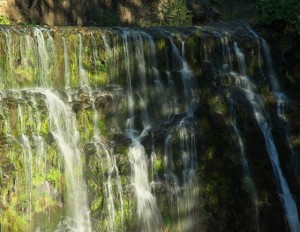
[64, 130]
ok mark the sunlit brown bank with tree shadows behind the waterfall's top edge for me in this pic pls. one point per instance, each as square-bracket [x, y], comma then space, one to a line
[95, 12]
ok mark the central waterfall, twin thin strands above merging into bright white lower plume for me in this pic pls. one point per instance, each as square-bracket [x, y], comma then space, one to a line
[147, 209]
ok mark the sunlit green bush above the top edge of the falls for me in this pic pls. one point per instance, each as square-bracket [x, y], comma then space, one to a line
[173, 13]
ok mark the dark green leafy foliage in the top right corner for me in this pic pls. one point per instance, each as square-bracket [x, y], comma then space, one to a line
[282, 14]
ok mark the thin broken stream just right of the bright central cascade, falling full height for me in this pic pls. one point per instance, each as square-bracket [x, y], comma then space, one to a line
[188, 198]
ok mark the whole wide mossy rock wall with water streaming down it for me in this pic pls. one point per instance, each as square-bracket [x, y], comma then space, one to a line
[153, 129]
